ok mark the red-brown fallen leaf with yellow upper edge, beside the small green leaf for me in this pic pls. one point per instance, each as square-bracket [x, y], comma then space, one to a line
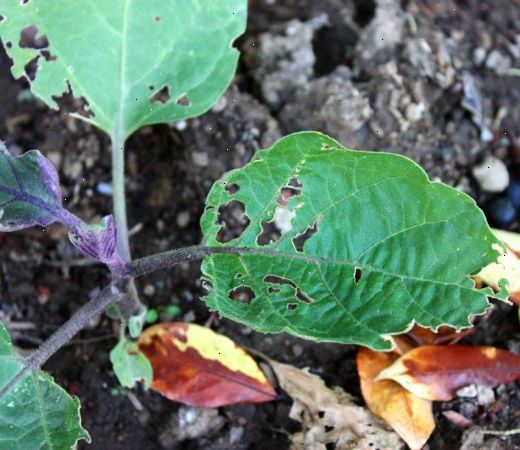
[198, 367]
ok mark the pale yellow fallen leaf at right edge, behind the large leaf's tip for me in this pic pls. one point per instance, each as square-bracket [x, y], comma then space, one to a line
[507, 267]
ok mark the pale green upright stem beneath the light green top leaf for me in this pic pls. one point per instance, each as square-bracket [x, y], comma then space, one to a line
[131, 304]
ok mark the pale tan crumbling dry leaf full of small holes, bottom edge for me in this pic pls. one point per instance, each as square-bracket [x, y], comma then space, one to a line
[329, 417]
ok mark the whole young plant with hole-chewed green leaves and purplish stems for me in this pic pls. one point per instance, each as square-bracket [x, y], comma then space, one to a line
[367, 247]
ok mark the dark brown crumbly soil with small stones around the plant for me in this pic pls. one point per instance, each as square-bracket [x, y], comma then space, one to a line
[404, 95]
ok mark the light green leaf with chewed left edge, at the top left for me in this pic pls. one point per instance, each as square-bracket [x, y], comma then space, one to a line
[135, 62]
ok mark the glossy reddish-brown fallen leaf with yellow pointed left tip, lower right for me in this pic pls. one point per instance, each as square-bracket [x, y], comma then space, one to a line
[436, 372]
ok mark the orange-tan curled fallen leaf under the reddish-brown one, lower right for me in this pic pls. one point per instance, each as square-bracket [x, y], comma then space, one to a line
[410, 416]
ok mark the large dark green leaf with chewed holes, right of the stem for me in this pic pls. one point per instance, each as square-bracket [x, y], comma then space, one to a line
[369, 245]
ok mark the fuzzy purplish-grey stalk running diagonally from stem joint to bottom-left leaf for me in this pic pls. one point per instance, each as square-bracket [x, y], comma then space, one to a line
[110, 294]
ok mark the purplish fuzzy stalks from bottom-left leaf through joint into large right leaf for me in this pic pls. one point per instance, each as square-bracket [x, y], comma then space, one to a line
[117, 290]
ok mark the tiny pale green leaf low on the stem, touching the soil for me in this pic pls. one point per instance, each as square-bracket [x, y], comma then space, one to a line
[130, 365]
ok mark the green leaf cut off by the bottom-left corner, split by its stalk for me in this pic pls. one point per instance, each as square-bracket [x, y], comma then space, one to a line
[36, 413]
